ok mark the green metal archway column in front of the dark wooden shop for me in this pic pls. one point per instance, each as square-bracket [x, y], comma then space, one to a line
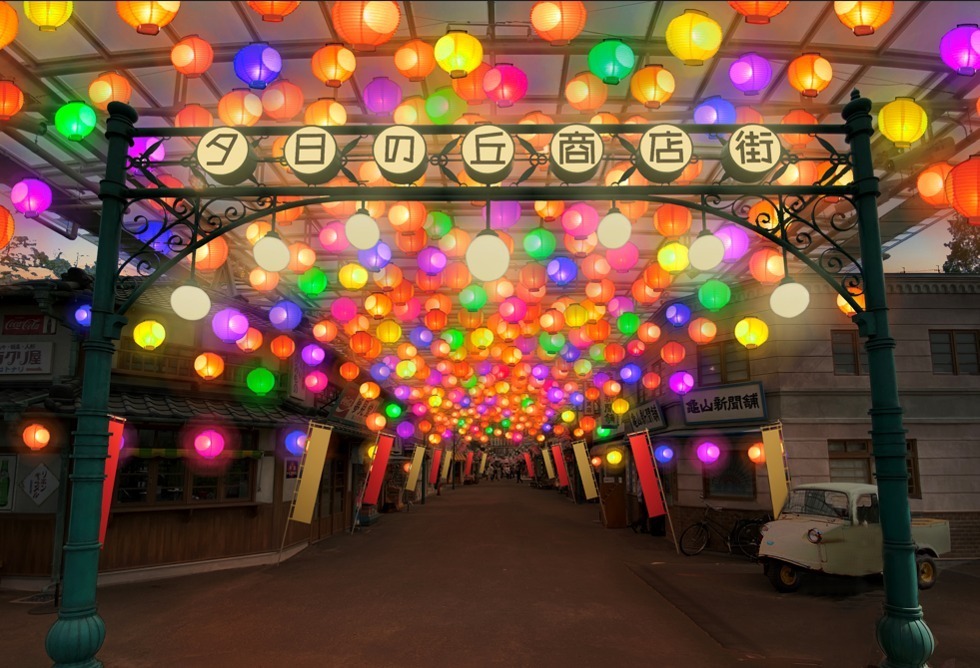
[77, 635]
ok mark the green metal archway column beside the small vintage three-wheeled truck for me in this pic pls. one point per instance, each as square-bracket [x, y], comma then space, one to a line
[902, 633]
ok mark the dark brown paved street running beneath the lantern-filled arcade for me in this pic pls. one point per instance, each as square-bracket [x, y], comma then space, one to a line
[499, 575]
